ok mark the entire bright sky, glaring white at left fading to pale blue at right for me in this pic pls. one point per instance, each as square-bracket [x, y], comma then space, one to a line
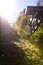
[10, 9]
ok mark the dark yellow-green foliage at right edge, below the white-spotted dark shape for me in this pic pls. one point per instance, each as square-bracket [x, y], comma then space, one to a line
[37, 37]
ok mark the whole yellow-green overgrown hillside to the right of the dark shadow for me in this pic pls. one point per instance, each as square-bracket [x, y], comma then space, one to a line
[30, 43]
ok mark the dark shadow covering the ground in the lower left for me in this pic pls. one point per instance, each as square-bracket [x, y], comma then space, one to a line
[11, 54]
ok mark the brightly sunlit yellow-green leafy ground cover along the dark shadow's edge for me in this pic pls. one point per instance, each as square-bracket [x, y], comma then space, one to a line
[32, 52]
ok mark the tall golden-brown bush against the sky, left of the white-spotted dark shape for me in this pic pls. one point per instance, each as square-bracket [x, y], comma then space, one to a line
[22, 26]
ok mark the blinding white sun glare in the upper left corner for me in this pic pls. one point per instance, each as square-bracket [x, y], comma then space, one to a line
[6, 9]
